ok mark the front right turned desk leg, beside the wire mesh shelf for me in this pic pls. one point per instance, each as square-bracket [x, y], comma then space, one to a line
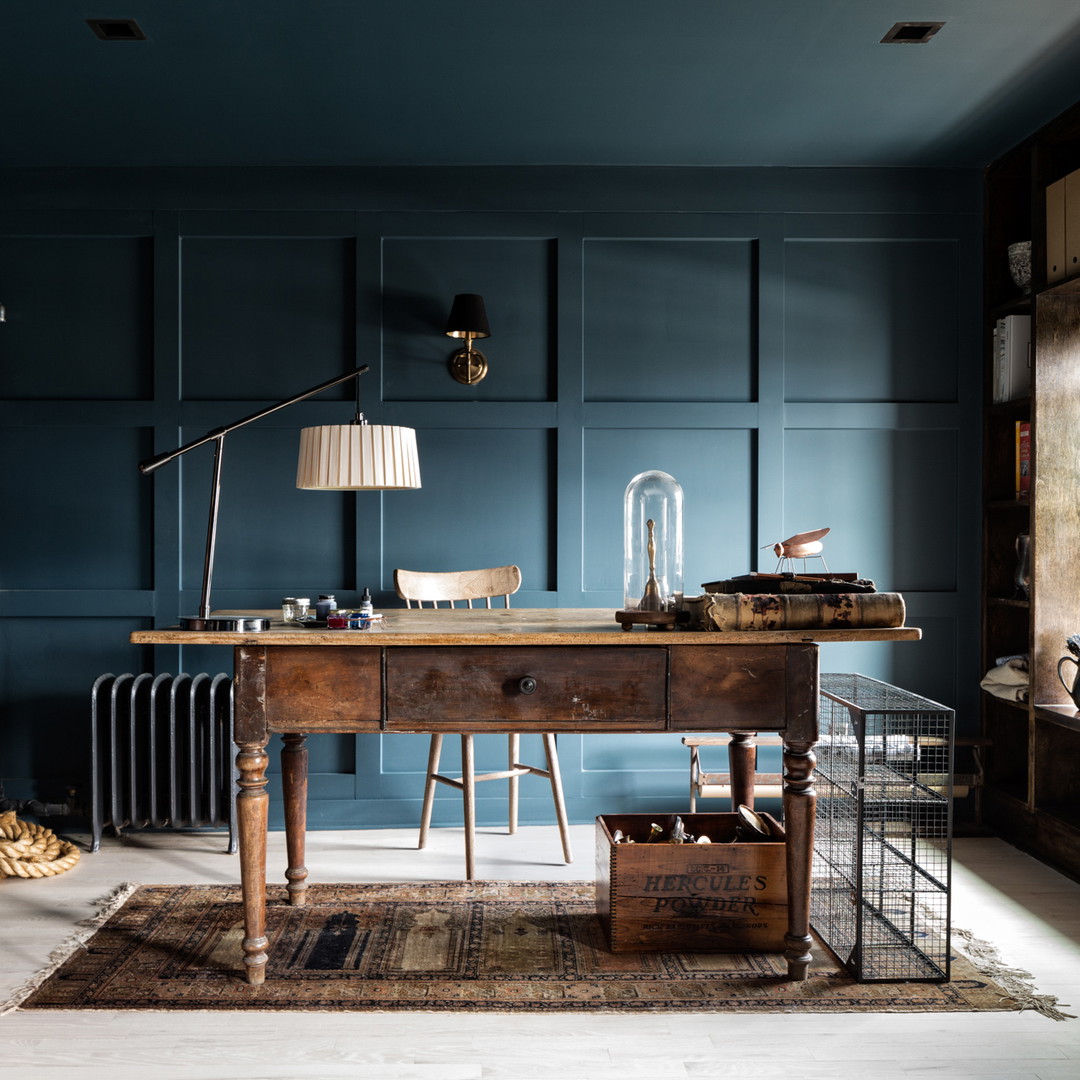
[800, 806]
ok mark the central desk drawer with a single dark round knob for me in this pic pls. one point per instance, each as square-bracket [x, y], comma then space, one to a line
[522, 688]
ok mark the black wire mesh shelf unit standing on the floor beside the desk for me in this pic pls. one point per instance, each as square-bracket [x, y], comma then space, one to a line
[883, 841]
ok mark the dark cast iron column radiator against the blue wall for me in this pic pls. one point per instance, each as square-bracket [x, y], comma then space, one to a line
[163, 754]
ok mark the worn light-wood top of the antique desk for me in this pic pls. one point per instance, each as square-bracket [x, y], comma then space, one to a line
[506, 627]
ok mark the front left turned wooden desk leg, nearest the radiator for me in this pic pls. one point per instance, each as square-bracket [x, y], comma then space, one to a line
[252, 815]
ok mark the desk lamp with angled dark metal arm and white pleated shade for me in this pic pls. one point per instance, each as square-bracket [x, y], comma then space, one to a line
[354, 457]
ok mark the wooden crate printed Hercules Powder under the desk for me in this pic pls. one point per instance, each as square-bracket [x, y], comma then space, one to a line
[680, 898]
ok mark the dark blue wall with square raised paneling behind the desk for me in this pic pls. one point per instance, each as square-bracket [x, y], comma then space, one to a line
[800, 349]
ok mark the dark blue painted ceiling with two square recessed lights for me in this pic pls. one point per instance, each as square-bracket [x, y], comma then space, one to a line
[613, 83]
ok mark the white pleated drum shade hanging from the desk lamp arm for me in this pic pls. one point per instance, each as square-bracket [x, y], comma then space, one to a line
[358, 457]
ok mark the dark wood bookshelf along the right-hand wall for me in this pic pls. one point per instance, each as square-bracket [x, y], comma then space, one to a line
[1033, 779]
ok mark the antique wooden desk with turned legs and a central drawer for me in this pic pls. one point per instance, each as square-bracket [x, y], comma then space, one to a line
[520, 670]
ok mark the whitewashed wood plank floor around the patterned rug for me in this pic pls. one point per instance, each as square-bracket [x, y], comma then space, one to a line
[1030, 912]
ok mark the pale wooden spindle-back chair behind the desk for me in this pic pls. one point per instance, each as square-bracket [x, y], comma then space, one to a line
[464, 587]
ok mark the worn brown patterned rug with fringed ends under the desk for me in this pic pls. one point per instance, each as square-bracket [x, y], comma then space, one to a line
[479, 947]
